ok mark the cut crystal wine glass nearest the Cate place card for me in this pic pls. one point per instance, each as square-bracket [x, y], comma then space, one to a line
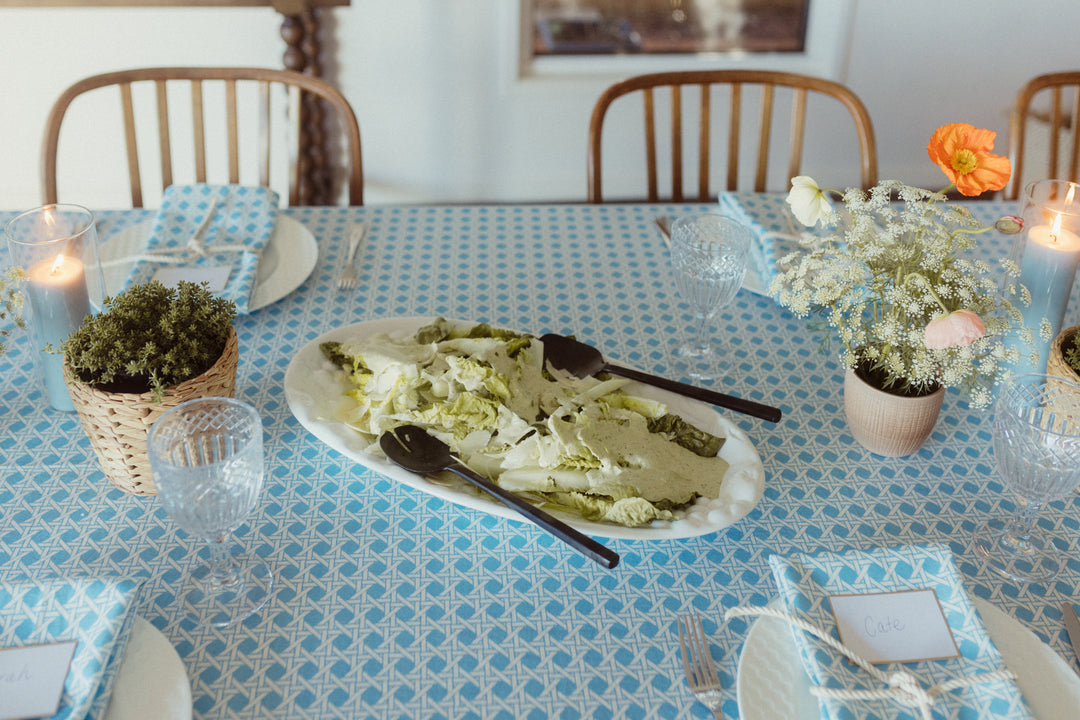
[1037, 447]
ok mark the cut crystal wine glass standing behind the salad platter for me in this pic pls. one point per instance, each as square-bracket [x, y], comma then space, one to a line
[710, 253]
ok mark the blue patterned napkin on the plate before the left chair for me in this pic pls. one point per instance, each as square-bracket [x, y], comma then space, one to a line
[211, 226]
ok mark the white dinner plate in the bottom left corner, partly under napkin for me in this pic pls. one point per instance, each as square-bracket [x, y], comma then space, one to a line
[152, 682]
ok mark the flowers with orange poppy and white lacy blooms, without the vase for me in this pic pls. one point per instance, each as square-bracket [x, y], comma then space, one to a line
[912, 310]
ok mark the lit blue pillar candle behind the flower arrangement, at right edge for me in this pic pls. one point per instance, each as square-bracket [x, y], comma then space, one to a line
[1047, 270]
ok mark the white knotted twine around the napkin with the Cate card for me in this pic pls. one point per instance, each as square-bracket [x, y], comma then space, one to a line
[901, 687]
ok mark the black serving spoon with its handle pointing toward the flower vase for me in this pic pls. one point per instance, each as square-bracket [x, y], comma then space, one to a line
[584, 361]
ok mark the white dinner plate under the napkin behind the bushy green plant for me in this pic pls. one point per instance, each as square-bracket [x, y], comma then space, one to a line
[288, 260]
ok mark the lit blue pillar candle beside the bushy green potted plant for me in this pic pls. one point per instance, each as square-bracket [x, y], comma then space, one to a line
[57, 291]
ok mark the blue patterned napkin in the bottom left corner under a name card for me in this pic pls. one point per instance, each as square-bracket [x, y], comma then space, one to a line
[96, 613]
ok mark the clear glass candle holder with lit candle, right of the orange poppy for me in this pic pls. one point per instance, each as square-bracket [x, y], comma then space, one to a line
[1048, 253]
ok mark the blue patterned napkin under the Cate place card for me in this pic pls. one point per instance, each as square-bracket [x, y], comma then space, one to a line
[805, 582]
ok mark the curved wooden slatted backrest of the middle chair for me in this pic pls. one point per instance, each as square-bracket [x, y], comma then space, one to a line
[768, 84]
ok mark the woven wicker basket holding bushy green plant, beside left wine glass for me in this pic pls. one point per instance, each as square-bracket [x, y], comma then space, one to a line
[118, 424]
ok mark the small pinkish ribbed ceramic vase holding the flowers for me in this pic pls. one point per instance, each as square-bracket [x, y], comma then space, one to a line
[888, 425]
